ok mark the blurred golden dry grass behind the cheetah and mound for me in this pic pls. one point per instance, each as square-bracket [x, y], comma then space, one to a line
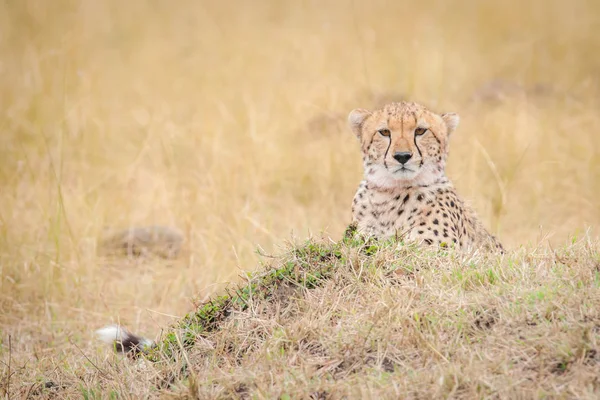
[227, 120]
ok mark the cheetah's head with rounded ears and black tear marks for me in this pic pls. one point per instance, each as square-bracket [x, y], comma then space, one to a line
[403, 144]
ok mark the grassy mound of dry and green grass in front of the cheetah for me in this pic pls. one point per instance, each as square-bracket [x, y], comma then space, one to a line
[360, 320]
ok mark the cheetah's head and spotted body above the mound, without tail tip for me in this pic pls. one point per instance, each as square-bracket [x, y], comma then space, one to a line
[405, 192]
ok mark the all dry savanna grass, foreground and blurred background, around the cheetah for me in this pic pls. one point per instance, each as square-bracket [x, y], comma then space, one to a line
[227, 120]
